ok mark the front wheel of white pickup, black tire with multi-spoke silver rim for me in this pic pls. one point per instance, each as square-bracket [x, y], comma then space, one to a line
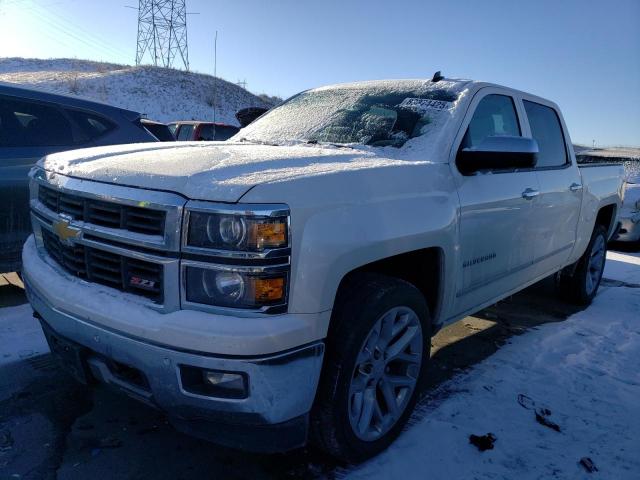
[375, 366]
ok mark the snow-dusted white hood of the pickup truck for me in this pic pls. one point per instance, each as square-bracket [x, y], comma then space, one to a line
[216, 171]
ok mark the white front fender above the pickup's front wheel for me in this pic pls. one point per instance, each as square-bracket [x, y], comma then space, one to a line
[343, 221]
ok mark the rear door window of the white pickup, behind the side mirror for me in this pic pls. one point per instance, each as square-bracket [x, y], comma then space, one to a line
[547, 131]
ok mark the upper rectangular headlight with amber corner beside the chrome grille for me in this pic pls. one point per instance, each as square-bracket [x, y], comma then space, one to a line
[242, 232]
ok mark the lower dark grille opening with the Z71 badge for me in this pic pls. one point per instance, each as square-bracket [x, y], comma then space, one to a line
[100, 266]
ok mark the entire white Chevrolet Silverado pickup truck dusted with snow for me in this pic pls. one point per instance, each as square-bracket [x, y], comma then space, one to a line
[284, 286]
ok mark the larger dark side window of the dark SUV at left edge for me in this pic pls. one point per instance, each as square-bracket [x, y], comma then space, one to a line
[24, 123]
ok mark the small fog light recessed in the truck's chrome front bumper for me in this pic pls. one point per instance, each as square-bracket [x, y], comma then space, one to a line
[214, 383]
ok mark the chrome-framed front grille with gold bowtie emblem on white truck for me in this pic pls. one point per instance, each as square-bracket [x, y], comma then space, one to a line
[123, 237]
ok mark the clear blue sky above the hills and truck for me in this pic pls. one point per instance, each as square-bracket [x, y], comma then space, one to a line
[585, 55]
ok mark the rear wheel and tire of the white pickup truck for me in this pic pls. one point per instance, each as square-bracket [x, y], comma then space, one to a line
[582, 286]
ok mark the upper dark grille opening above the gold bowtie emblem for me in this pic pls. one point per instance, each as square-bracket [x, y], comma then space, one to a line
[105, 214]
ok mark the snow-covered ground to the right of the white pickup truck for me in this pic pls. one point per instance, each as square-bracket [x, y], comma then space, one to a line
[585, 371]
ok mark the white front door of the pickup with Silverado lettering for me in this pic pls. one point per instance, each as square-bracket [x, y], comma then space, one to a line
[495, 245]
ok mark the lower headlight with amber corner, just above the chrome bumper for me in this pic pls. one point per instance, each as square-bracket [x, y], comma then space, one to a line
[211, 285]
